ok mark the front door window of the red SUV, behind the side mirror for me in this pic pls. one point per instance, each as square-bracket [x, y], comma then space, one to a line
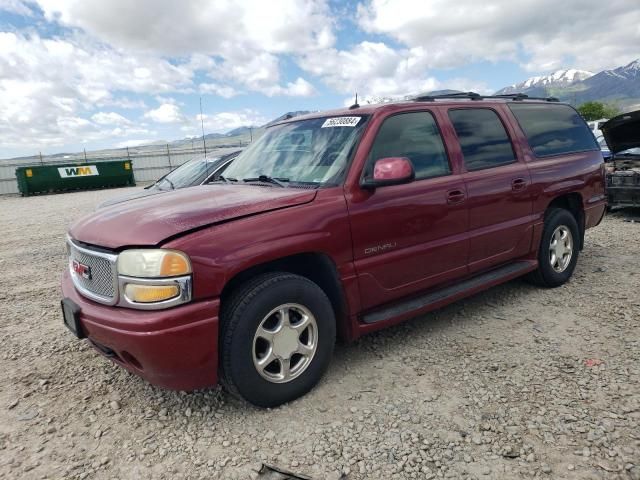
[414, 136]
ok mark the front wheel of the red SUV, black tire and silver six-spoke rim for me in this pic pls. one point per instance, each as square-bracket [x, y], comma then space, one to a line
[277, 337]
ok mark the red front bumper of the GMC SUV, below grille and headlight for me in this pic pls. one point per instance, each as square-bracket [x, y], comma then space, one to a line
[175, 348]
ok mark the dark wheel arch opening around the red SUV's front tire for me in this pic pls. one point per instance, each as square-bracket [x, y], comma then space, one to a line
[316, 266]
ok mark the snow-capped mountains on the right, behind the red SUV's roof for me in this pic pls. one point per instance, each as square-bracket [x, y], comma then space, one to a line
[620, 86]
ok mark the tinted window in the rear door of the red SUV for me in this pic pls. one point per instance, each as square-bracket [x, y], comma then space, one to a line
[483, 138]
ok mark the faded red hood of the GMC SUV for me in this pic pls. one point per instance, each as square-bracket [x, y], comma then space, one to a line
[150, 220]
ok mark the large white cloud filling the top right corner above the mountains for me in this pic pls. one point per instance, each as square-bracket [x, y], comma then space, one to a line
[549, 33]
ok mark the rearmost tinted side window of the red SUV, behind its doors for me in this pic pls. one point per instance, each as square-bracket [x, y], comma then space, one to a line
[553, 129]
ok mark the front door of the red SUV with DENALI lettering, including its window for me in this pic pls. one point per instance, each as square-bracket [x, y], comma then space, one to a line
[409, 237]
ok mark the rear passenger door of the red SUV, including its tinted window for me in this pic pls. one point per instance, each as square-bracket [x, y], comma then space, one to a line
[498, 186]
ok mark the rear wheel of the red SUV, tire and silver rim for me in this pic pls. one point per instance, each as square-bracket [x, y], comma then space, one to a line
[558, 251]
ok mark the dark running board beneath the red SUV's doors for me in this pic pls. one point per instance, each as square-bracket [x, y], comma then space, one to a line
[512, 270]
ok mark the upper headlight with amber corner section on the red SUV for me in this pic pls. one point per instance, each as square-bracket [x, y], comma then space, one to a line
[147, 263]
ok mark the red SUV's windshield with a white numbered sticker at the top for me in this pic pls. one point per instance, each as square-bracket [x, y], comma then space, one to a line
[313, 151]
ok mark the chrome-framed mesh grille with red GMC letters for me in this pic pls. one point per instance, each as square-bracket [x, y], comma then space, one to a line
[101, 284]
